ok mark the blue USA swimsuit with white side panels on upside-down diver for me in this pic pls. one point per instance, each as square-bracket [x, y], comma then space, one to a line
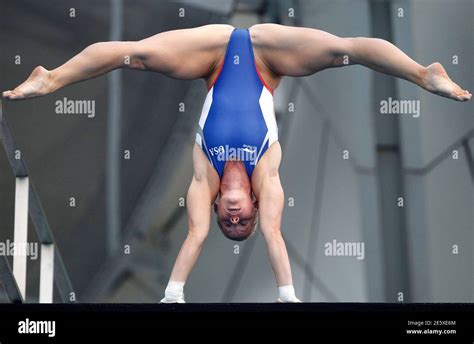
[238, 119]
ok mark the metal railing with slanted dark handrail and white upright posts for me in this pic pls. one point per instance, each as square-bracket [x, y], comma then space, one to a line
[52, 269]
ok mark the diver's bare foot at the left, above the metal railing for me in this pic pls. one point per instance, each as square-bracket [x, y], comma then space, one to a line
[38, 84]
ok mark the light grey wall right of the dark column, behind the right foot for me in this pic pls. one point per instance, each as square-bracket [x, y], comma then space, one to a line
[439, 188]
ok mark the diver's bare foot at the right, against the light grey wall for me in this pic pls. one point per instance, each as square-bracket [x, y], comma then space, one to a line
[436, 80]
